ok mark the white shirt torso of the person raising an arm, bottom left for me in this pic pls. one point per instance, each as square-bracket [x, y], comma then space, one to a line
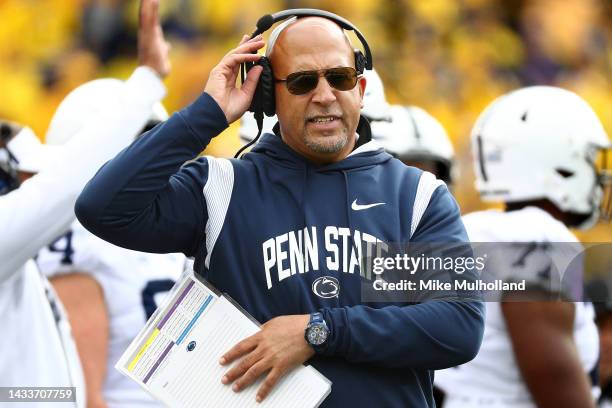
[37, 347]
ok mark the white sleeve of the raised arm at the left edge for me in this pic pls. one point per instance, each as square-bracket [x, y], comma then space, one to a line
[41, 209]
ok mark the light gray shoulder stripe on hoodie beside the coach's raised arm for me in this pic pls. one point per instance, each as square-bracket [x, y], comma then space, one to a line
[217, 193]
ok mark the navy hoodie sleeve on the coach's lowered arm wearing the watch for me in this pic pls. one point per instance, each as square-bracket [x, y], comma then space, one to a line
[434, 334]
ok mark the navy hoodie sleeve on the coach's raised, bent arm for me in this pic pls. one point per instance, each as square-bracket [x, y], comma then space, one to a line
[147, 198]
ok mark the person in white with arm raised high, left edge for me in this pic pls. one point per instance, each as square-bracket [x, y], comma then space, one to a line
[36, 343]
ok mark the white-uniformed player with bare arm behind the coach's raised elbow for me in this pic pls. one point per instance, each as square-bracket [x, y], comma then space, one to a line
[108, 292]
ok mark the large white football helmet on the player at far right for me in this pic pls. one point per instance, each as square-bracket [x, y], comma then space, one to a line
[541, 142]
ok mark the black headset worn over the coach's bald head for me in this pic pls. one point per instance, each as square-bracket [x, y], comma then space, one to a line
[264, 99]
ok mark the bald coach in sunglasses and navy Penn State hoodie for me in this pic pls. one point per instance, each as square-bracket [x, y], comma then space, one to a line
[281, 229]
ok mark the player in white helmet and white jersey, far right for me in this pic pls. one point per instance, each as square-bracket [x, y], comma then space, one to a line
[535, 150]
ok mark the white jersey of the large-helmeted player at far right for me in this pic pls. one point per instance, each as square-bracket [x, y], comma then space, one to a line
[493, 378]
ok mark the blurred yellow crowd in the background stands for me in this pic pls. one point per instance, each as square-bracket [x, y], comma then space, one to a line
[451, 57]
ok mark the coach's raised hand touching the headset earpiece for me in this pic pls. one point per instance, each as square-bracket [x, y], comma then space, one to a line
[221, 85]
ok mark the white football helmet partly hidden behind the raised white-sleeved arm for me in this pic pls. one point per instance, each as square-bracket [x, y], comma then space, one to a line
[85, 103]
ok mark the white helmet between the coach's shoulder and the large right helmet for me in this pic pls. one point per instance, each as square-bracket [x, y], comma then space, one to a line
[413, 135]
